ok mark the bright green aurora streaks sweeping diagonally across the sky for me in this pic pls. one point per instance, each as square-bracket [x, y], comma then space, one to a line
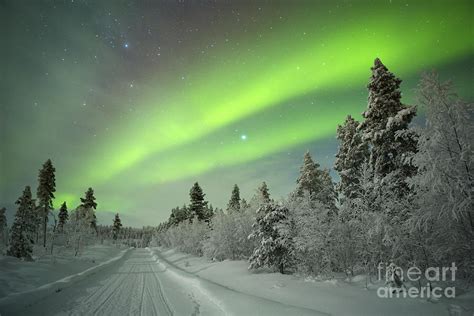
[240, 85]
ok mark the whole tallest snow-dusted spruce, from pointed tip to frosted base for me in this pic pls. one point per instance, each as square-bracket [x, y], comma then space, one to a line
[392, 145]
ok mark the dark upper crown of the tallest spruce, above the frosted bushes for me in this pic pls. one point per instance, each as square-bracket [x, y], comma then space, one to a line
[385, 126]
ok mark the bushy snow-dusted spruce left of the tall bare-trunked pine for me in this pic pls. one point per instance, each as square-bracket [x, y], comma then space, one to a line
[22, 231]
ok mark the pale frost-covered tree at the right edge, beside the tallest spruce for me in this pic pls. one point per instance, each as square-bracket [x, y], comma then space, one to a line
[445, 180]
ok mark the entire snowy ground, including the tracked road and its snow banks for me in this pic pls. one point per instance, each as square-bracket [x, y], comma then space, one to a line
[154, 282]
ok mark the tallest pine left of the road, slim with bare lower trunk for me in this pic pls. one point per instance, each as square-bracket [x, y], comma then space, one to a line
[45, 193]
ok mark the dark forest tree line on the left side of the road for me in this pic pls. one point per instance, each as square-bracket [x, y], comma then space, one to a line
[33, 233]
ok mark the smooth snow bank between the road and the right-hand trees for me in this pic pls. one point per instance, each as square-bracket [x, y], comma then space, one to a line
[335, 297]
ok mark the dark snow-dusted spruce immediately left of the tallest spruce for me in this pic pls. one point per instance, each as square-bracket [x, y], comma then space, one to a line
[352, 153]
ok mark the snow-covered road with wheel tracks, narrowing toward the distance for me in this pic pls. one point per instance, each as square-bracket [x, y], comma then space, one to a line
[142, 284]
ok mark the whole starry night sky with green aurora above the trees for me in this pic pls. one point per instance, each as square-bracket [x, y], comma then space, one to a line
[140, 99]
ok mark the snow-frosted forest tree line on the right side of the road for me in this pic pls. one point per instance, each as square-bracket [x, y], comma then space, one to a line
[405, 195]
